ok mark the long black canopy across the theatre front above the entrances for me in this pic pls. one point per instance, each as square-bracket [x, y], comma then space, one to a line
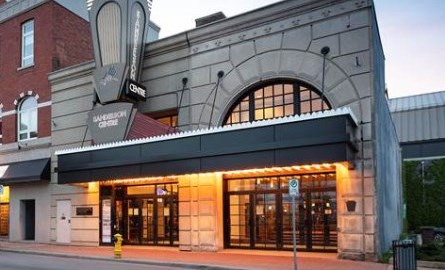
[314, 141]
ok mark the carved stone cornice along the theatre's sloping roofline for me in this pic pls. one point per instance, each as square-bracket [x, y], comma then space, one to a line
[271, 19]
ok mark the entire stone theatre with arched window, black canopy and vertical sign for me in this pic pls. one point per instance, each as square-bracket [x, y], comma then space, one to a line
[198, 150]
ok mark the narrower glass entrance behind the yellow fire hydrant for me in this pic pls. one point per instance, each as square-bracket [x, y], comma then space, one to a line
[143, 214]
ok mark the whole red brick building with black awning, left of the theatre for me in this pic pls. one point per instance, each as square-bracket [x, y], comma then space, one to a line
[37, 37]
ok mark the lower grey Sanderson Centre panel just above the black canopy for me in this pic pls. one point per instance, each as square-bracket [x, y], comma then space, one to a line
[111, 122]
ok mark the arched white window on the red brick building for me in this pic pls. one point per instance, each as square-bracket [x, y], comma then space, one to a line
[27, 118]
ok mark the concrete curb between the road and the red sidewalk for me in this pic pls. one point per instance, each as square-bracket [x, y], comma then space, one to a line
[133, 261]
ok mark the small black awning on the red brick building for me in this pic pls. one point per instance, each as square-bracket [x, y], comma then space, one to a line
[25, 171]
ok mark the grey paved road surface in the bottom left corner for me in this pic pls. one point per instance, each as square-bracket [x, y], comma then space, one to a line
[16, 261]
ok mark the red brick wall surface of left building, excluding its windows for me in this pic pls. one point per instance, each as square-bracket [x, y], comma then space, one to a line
[58, 34]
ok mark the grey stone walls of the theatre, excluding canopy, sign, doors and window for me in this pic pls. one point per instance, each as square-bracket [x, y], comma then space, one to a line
[282, 41]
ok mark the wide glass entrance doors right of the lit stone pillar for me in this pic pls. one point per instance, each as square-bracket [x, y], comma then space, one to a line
[258, 213]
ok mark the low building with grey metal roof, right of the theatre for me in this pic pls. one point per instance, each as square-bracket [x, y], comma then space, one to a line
[420, 125]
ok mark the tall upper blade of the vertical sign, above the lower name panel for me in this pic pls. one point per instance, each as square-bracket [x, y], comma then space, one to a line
[118, 28]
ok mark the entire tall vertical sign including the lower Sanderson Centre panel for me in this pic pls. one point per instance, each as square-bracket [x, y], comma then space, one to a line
[118, 28]
